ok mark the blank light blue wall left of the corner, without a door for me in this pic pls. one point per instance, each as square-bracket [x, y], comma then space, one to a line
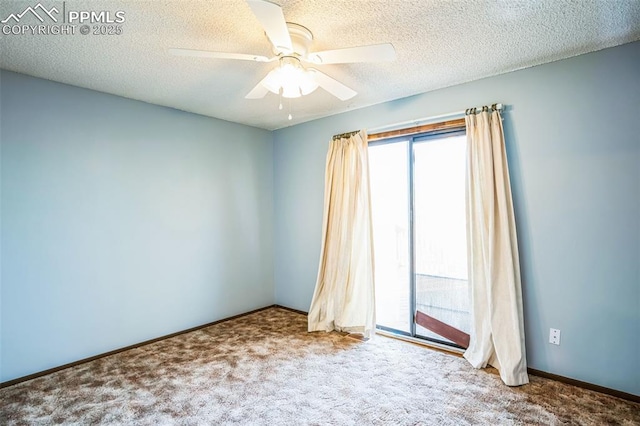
[123, 221]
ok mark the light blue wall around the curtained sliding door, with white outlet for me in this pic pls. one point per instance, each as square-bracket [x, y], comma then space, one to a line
[573, 136]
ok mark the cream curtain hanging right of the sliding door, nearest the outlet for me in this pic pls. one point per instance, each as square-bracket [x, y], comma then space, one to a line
[497, 330]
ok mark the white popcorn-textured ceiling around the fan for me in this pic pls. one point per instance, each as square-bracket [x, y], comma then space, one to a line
[438, 43]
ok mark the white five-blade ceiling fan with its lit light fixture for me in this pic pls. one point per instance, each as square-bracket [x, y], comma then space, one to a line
[291, 42]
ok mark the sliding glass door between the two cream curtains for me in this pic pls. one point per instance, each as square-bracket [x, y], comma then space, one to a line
[418, 199]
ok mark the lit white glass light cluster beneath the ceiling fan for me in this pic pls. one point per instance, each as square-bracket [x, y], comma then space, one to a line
[291, 78]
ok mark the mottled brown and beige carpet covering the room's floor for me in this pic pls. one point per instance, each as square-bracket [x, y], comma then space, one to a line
[265, 368]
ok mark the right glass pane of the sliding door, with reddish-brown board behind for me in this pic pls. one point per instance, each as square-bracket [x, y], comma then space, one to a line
[442, 290]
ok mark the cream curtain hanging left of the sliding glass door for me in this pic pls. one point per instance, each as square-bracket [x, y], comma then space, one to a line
[344, 296]
